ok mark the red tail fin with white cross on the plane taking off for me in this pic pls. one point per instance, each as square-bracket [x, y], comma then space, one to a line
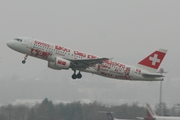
[152, 62]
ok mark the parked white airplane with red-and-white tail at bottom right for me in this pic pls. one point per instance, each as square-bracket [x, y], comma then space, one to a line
[151, 115]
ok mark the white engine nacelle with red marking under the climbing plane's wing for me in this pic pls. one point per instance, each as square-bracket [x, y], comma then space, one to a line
[59, 64]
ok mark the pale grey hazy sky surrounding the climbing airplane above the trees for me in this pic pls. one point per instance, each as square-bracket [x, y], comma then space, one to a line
[123, 29]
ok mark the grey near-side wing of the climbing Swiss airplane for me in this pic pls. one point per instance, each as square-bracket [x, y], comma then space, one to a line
[85, 63]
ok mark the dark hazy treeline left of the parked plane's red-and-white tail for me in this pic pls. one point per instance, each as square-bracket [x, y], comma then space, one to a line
[70, 111]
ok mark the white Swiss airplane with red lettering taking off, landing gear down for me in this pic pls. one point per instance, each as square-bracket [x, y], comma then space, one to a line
[63, 58]
